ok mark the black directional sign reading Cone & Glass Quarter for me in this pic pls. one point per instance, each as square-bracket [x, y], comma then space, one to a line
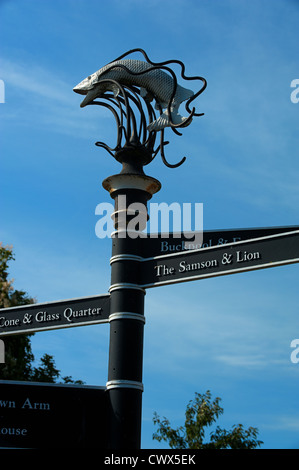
[53, 315]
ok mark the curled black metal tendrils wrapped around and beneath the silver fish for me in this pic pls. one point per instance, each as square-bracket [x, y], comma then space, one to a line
[133, 133]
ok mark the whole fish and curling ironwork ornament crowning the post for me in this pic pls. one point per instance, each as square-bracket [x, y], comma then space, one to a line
[130, 103]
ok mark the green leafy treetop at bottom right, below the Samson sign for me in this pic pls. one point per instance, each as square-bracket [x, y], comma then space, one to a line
[200, 414]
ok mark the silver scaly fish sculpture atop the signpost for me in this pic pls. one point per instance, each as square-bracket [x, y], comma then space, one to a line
[154, 83]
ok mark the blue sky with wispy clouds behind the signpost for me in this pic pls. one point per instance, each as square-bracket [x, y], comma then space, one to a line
[231, 334]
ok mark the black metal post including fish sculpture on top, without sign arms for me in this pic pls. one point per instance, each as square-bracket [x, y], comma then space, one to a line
[135, 148]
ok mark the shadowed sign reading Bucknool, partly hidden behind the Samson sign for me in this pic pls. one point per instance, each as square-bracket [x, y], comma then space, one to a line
[165, 244]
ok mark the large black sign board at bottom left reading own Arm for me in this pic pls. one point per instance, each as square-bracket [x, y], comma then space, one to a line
[37, 415]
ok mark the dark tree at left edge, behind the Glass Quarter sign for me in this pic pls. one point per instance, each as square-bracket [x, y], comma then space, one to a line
[18, 353]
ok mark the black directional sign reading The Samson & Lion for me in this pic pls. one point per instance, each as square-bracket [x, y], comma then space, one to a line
[258, 253]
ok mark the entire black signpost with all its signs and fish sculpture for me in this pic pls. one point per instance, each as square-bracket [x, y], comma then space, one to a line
[37, 415]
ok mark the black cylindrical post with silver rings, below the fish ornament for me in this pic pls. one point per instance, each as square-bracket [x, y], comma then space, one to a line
[127, 308]
